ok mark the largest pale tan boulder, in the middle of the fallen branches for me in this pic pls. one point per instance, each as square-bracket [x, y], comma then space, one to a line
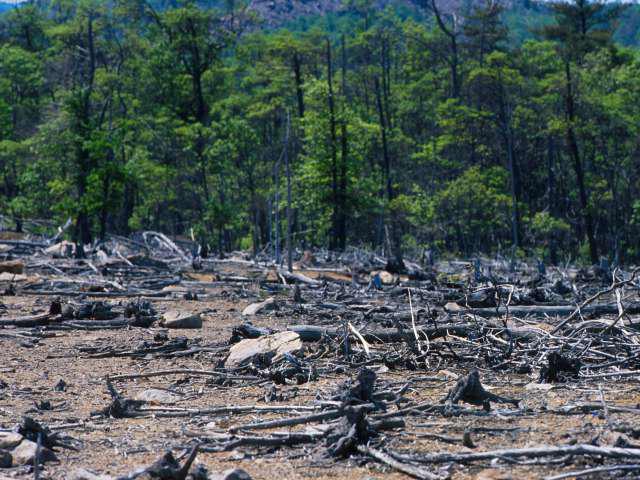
[270, 348]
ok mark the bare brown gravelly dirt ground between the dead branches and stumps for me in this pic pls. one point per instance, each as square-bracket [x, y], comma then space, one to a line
[119, 446]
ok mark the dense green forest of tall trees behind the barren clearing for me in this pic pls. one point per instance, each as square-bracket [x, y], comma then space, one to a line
[410, 129]
